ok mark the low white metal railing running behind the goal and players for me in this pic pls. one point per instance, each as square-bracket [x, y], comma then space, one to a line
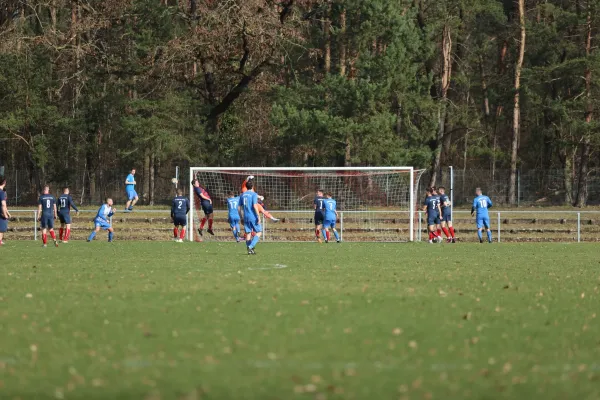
[496, 218]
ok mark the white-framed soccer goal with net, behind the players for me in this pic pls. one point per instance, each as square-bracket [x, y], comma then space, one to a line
[375, 204]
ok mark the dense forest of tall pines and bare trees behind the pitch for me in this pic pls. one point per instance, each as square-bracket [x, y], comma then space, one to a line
[90, 86]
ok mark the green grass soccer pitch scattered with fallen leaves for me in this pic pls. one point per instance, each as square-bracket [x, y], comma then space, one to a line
[134, 320]
